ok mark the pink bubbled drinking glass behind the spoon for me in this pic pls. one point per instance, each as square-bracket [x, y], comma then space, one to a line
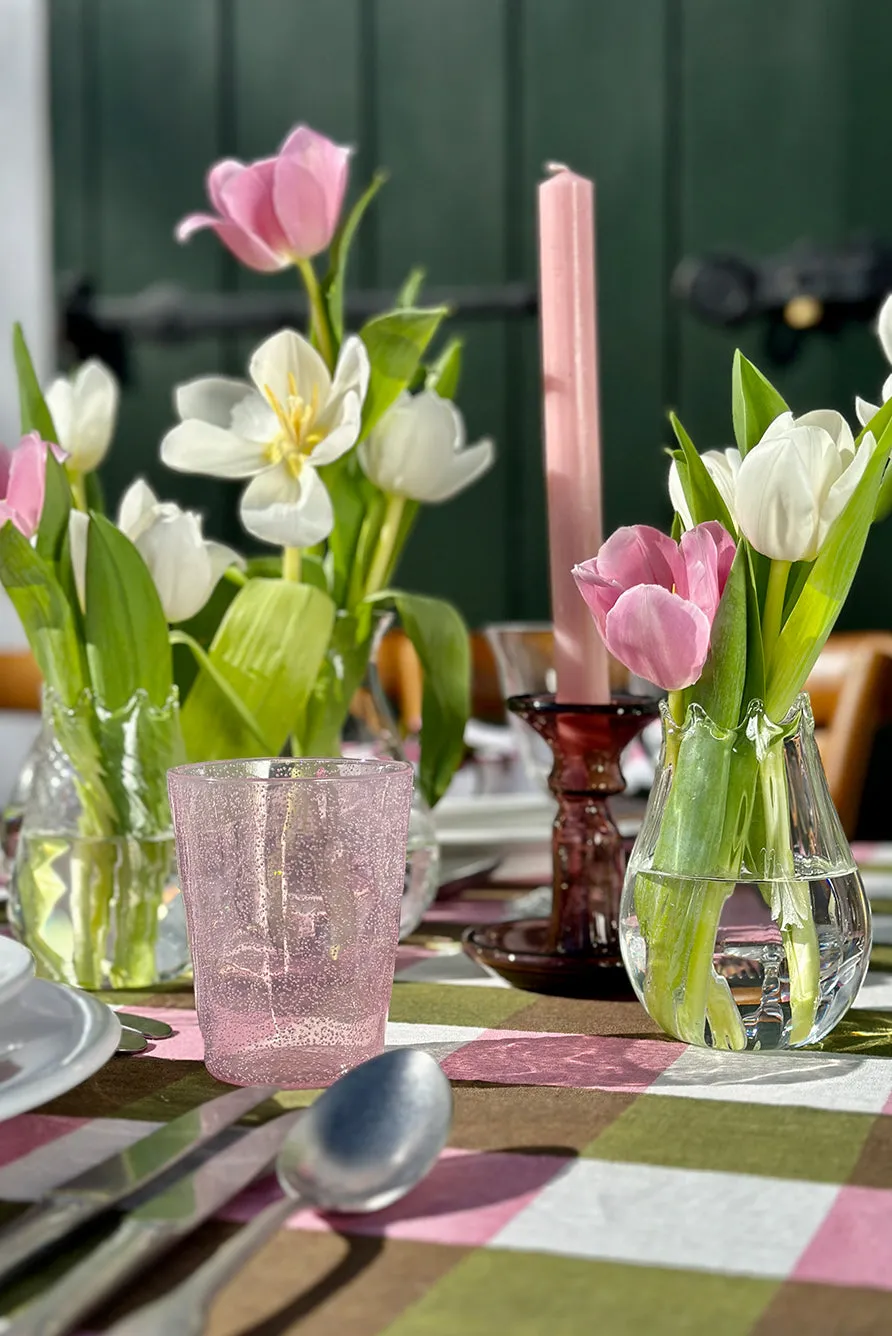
[293, 877]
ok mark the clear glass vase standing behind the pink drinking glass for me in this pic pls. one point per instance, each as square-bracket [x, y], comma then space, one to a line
[359, 721]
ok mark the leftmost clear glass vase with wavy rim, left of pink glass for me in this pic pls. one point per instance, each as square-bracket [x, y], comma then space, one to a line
[94, 889]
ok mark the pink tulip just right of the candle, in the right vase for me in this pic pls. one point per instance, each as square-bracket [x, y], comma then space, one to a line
[655, 601]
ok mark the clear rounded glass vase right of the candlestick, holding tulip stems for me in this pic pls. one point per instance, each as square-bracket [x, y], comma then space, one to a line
[743, 921]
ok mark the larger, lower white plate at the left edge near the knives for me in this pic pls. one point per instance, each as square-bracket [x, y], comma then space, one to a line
[51, 1040]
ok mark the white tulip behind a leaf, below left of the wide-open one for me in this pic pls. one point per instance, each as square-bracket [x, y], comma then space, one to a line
[184, 564]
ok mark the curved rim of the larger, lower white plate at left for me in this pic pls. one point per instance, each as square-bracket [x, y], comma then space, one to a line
[102, 1032]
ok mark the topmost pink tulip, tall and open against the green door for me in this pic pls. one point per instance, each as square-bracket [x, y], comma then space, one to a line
[277, 210]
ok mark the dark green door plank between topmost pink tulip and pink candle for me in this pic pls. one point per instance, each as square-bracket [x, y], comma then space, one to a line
[441, 124]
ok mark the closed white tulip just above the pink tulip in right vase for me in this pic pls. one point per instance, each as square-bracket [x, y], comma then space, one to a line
[795, 483]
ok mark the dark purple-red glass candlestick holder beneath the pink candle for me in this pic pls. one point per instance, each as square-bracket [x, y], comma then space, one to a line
[576, 951]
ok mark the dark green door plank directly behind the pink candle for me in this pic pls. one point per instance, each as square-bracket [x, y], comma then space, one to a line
[595, 98]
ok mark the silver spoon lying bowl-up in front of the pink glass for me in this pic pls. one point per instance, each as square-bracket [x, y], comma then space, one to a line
[361, 1147]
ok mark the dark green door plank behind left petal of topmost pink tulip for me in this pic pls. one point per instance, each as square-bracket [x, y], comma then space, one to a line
[157, 67]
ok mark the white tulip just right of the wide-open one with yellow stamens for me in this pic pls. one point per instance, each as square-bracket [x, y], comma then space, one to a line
[419, 451]
